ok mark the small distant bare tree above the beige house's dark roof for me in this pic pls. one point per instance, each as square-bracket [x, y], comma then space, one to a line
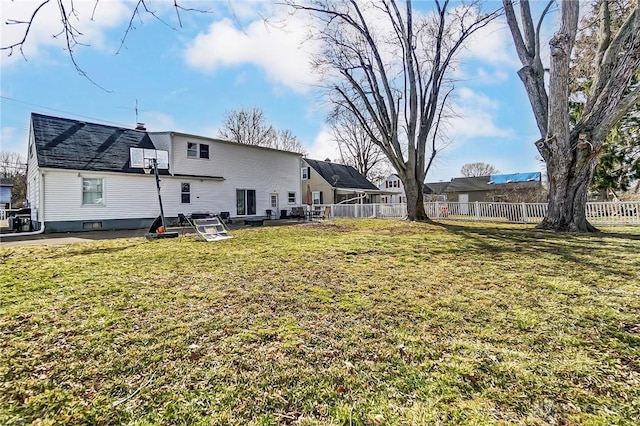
[356, 147]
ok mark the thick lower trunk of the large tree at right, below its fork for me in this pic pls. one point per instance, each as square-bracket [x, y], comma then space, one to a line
[570, 173]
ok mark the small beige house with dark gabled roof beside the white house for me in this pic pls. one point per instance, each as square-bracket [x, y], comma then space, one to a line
[324, 182]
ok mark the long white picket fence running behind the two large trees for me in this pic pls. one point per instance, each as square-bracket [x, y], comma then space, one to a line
[598, 213]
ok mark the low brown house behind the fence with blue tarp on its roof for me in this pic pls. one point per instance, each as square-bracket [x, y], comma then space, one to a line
[517, 187]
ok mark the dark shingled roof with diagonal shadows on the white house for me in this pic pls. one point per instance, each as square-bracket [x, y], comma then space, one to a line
[63, 143]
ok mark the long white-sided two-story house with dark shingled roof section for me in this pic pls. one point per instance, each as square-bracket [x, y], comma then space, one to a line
[79, 176]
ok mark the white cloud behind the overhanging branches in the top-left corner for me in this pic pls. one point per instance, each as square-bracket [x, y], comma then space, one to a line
[47, 23]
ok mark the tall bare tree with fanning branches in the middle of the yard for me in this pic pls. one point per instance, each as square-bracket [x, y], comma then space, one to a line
[391, 67]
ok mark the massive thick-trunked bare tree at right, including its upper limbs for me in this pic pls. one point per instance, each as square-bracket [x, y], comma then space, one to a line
[571, 152]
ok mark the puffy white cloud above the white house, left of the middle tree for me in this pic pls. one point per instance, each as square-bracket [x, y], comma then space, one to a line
[279, 50]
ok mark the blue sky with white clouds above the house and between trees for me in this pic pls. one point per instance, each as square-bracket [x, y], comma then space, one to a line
[184, 79]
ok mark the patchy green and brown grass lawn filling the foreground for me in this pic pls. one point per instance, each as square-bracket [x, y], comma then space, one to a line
[338, 323]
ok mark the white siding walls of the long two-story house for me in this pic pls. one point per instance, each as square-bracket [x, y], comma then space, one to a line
[132, 196]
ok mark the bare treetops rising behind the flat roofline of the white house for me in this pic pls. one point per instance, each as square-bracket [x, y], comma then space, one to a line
[248, 126]
